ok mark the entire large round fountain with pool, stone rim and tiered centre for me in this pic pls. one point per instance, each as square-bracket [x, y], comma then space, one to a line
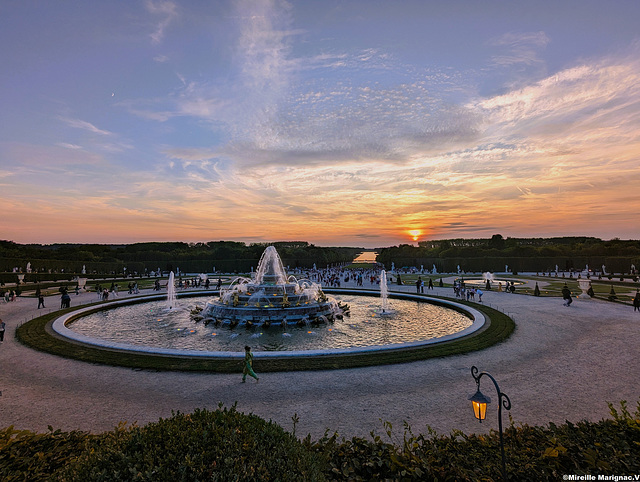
[278, 316]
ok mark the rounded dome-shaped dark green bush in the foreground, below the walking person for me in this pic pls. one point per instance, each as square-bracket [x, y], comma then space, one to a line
[204, 445]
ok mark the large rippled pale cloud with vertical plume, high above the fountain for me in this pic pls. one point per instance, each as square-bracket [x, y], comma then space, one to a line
[274, 111]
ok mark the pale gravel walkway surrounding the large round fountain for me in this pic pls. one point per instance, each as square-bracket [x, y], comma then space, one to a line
[560, 364]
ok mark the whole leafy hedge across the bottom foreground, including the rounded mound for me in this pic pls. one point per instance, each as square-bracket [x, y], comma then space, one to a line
[228, 445]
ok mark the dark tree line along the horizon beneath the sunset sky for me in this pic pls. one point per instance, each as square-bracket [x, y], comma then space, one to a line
[472, 254]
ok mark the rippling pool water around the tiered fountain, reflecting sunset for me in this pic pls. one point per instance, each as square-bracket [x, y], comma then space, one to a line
[151, 324]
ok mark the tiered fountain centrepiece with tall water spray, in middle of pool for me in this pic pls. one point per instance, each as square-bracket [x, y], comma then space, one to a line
[272, 297]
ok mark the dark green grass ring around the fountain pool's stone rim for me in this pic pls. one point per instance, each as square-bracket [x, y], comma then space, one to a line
[39, 335]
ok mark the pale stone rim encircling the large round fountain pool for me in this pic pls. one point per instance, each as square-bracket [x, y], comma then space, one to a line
[59, 326]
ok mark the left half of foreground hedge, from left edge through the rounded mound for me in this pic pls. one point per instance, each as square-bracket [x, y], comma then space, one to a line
[204, 445]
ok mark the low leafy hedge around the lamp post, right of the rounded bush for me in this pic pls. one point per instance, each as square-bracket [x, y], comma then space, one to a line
[533, 453]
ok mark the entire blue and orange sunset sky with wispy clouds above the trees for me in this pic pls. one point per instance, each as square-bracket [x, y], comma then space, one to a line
[335, 122]
